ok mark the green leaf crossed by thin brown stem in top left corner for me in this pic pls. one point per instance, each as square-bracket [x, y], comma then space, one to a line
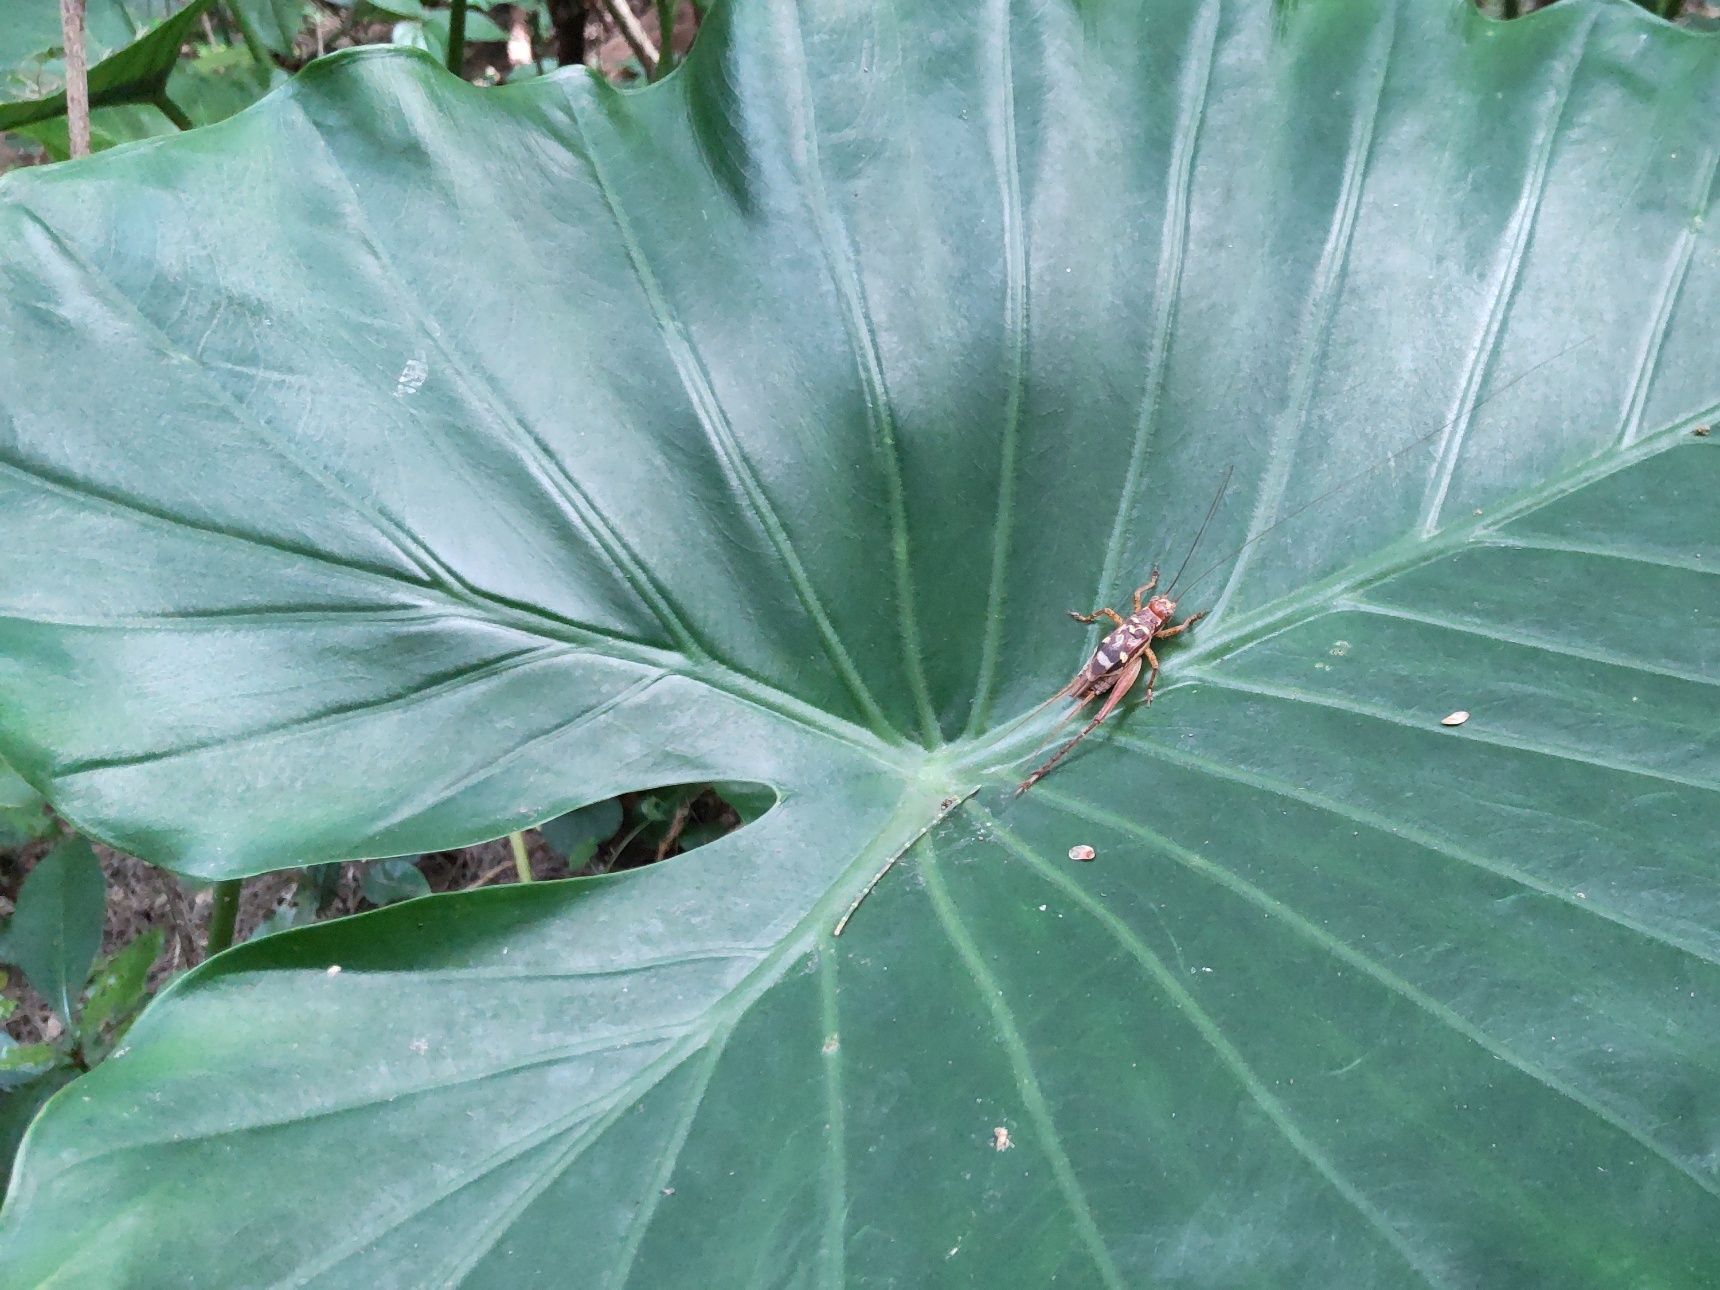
[132, 47]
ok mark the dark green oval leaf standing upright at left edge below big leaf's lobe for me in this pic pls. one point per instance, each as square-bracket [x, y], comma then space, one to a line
[56, 931]
